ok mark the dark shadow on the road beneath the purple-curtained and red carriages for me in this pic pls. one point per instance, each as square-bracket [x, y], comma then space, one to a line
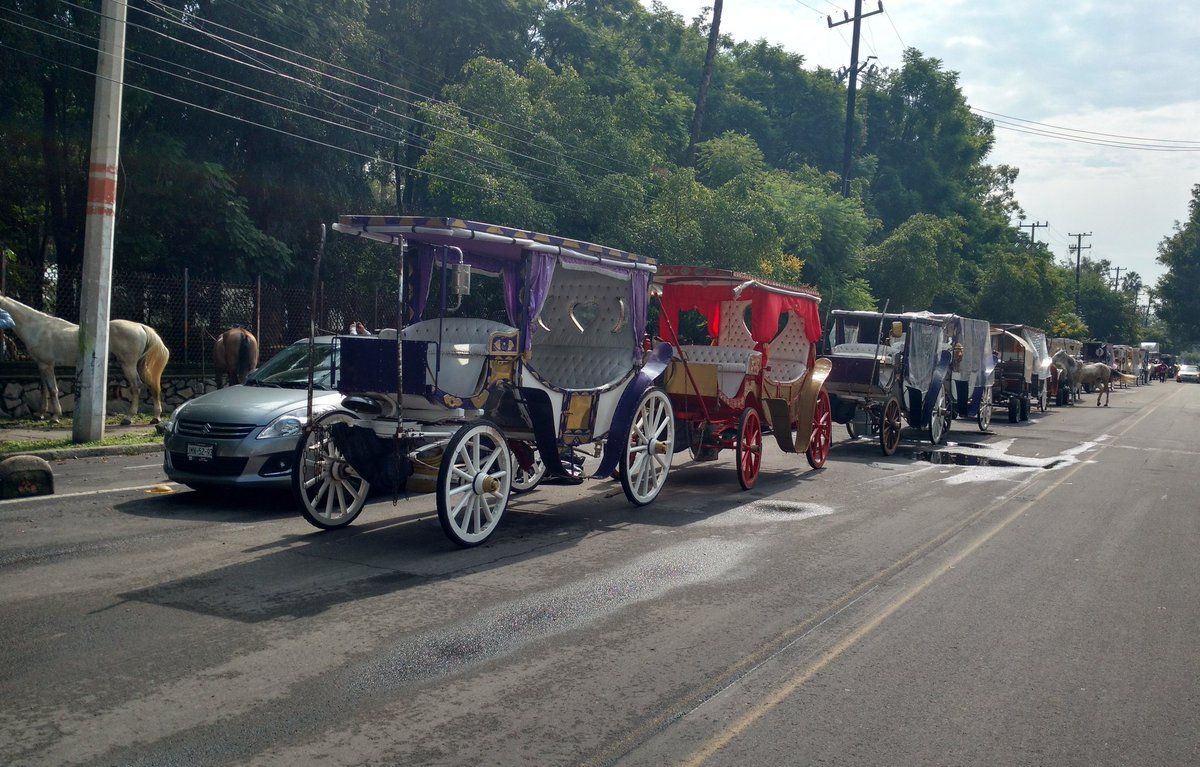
[302, 576]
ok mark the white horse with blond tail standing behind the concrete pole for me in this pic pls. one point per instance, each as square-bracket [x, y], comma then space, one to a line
[53, 341]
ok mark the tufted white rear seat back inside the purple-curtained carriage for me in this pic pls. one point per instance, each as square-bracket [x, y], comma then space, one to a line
[599, 356]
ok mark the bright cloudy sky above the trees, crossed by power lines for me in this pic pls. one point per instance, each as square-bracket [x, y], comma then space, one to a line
[1126, 69]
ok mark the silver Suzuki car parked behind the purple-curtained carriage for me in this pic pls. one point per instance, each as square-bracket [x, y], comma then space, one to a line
[247, 436]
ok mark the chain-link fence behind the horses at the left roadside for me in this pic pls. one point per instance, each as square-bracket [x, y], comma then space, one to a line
[190, 314]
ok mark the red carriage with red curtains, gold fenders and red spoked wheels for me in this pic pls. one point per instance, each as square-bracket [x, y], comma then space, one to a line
[759, 374]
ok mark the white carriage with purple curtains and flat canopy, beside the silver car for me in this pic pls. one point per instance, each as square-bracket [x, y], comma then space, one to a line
[490, 406]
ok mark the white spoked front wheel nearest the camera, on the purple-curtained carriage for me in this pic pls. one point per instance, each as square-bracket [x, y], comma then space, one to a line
[475, 482]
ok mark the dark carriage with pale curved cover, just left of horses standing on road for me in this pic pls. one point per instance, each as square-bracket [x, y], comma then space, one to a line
[1025, 370]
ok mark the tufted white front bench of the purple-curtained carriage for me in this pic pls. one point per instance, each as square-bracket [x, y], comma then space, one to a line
[466, 341]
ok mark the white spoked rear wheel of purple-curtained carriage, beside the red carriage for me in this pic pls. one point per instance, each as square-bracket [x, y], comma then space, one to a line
[647, 458]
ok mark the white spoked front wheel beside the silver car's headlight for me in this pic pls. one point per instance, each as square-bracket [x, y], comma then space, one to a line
[331, 493]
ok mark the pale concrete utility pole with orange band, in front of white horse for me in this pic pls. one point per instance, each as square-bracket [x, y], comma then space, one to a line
[92, 370]
